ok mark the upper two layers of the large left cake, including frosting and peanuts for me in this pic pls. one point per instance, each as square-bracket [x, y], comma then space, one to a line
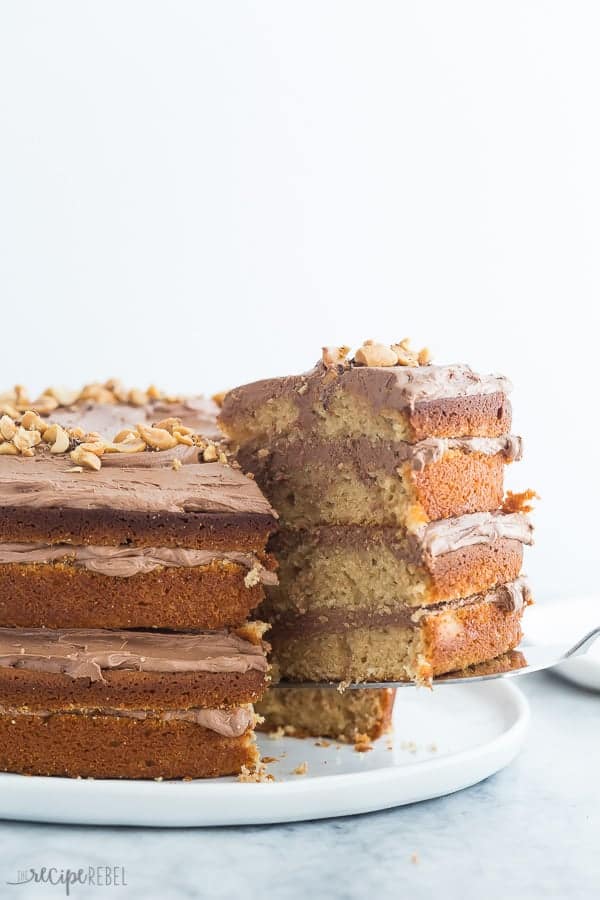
[154, 529]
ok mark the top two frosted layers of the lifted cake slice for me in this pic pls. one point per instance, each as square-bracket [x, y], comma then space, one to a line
[394, 446]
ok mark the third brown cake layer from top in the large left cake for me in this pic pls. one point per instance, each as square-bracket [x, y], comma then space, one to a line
[123, 689]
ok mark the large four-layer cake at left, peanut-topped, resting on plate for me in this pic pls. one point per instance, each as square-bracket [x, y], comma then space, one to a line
[154, 529]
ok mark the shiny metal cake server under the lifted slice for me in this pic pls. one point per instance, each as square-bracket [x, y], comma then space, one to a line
[525, 659]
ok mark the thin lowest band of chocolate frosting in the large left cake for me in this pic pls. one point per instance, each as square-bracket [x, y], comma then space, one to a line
[229, 722]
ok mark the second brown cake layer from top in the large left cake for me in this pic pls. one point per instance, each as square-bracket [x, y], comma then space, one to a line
[58, 595]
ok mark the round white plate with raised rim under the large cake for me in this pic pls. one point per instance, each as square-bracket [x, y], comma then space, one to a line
[444, 740]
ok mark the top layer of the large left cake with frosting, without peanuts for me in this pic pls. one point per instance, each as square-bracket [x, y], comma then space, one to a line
[199, 506]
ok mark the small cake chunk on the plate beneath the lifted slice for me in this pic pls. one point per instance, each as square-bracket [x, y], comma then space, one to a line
[303, 712]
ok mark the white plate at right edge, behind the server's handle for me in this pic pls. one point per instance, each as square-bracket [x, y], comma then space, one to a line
[567, 622]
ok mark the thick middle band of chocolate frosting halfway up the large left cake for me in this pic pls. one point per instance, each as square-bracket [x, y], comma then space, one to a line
[86, 653]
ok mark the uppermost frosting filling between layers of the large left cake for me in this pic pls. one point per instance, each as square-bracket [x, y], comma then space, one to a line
[123, 562]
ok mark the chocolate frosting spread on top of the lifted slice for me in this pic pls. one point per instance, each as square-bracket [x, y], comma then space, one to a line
[393, 388]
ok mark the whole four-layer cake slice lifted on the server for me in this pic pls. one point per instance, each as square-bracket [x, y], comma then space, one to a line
[397, 558]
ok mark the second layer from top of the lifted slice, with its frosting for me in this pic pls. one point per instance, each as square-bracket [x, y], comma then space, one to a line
[360, 482]
